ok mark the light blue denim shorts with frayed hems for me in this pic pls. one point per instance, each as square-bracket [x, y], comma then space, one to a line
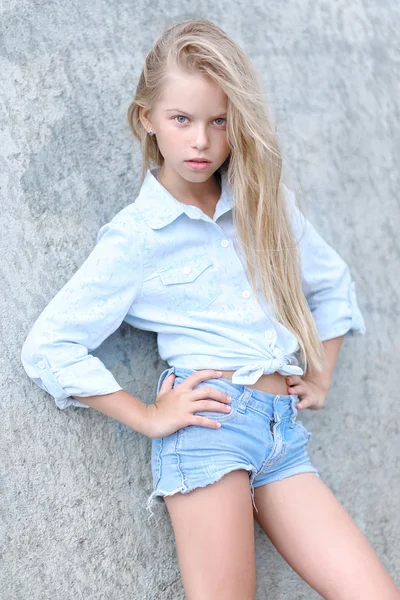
[260, 434]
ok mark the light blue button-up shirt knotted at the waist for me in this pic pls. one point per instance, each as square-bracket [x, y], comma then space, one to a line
[164, 266]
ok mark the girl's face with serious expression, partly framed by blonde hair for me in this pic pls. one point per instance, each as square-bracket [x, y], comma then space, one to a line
[189, 121]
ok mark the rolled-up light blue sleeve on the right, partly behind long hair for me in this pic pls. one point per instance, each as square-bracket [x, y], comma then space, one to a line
[326, 281]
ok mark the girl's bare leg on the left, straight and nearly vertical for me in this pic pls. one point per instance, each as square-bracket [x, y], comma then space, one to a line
[214, 534]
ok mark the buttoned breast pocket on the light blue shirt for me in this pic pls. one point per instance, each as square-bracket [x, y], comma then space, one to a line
[191, 283]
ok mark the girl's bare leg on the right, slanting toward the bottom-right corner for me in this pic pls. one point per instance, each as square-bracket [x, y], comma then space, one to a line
[317, 537]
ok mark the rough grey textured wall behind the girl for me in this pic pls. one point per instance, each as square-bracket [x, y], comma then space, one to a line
[74, 482]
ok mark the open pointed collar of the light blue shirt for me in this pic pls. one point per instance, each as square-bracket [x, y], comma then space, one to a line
[159, 208]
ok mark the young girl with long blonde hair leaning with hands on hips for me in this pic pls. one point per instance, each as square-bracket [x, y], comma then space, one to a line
[216, 257]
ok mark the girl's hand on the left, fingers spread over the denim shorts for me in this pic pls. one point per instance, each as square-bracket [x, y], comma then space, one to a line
[174, 407]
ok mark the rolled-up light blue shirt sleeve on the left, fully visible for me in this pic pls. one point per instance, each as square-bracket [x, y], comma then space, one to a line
[88, 309]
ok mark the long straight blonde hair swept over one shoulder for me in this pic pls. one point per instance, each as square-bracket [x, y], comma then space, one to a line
[254, 168]
